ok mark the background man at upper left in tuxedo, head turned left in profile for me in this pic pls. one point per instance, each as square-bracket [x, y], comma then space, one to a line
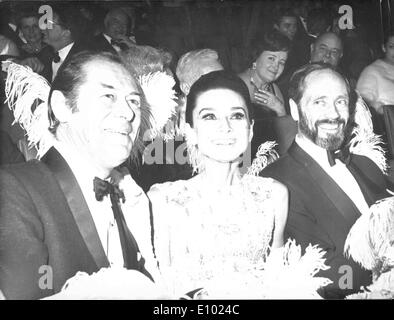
[62, 34]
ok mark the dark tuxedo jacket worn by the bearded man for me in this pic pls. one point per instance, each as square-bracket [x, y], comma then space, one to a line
[321, 213]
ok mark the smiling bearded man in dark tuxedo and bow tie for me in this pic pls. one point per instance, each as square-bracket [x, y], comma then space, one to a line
[327, 195]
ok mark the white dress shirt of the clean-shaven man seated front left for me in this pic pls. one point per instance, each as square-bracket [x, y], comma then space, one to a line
[135, 211]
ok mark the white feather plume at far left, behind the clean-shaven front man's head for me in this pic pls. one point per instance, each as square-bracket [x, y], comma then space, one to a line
[27, 94]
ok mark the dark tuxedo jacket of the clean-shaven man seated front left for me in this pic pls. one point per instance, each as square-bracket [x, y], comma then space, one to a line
[45, 221]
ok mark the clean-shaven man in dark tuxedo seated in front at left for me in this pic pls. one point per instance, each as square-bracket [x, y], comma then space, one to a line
[55, 219]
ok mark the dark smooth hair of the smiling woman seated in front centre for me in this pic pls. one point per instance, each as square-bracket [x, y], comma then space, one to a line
[217, 80]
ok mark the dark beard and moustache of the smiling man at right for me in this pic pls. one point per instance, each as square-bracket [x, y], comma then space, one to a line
[331, 142]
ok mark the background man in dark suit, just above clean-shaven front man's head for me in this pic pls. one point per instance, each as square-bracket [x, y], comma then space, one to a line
[117, 25]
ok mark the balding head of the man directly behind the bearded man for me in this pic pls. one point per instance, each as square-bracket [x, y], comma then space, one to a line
[327, 48]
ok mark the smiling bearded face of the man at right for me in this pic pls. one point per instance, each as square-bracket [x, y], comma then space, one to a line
[324, 109]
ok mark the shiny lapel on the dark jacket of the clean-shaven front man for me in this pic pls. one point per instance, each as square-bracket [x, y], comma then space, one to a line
[77, 205]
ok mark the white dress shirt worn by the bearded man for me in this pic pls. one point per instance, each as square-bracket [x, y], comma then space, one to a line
[339, 173]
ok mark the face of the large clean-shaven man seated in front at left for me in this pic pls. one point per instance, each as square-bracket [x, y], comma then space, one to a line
[108, 114]
